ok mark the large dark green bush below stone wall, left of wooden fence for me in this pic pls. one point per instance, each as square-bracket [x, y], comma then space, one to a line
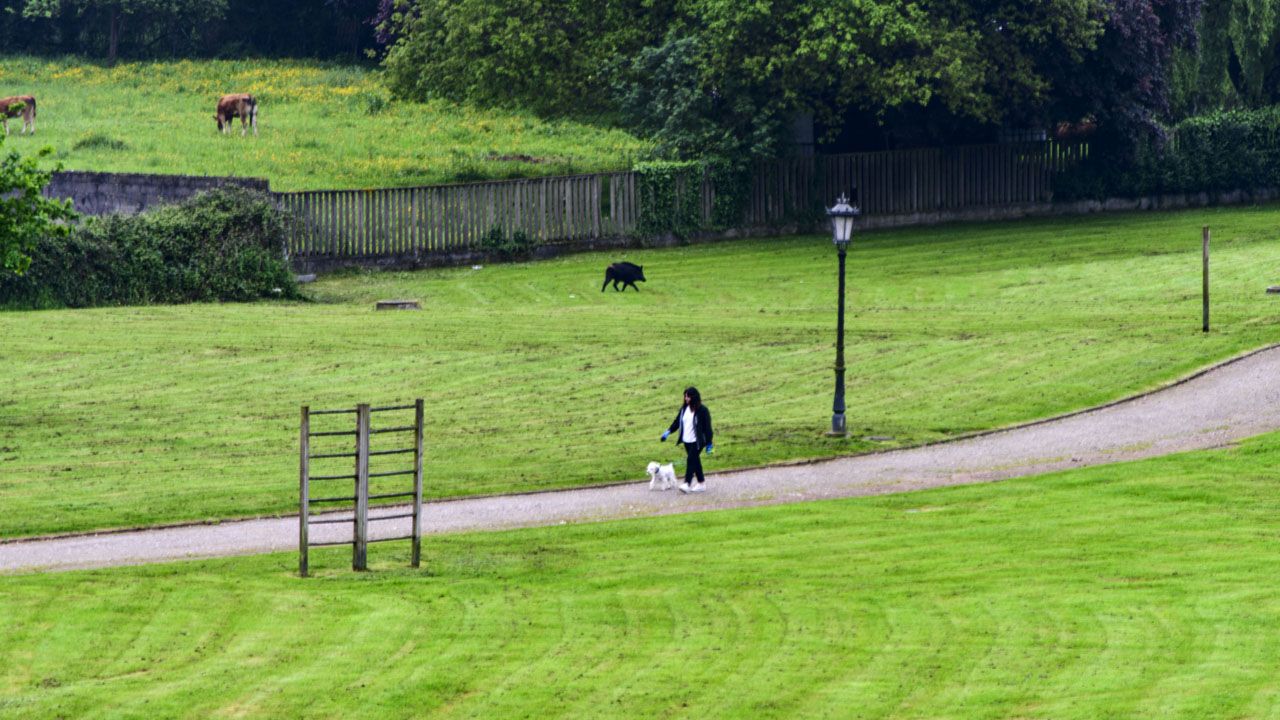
[226, 245]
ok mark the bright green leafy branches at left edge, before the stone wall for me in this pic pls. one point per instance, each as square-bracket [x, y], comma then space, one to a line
[26, 216]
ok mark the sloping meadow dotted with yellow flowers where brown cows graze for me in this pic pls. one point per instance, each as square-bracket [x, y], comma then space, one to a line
[322, 126]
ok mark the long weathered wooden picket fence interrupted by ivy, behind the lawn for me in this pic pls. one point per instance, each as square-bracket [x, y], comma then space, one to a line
[440, 220]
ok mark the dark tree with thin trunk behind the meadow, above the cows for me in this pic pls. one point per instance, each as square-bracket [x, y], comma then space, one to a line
[147, 20]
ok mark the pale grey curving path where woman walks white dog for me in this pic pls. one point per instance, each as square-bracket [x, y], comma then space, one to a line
[1232, 402]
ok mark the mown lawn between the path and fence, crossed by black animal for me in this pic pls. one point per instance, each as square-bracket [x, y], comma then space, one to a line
[534, 379]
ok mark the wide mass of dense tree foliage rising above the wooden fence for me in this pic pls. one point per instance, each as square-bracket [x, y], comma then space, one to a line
[726, 76]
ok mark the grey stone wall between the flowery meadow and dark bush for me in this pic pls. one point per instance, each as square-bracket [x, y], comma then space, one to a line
[103, 194]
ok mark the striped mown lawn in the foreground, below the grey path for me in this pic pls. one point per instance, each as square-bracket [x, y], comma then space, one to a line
[1130, 591]
